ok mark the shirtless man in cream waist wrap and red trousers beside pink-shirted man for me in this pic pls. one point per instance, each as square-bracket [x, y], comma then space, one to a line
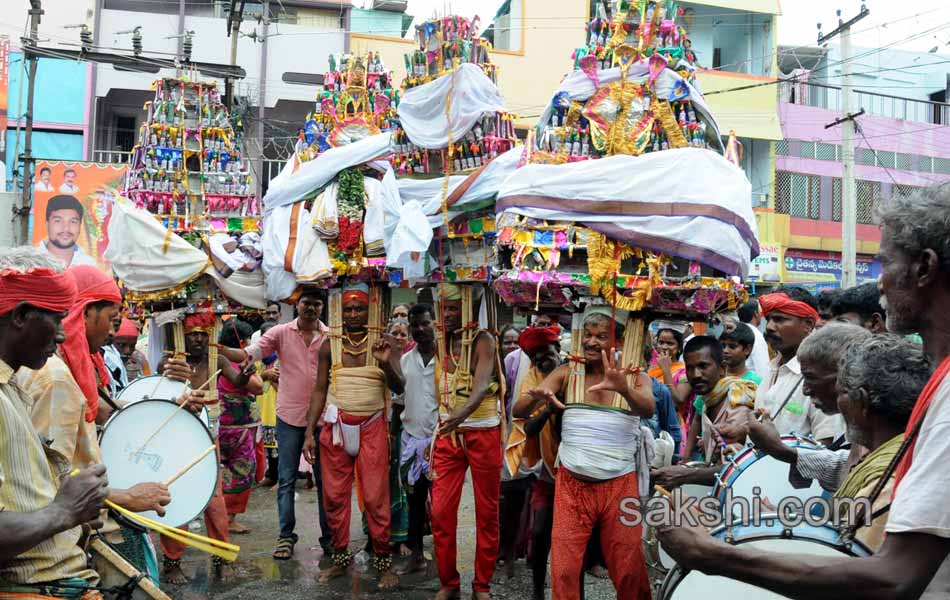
[355, 437]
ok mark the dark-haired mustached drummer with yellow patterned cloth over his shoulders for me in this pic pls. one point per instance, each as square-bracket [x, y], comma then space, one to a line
[725, 399]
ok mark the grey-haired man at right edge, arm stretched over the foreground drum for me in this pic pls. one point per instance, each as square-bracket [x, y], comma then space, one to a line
[912, 563]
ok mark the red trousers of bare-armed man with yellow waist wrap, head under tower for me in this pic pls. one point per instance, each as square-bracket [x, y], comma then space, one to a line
[480, 450]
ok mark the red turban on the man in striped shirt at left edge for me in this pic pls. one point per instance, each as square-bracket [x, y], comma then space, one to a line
[40, 287]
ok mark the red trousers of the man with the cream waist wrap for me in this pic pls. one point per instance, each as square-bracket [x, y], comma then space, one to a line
[372, 462]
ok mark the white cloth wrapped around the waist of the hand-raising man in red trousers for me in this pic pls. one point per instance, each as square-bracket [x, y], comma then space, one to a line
[603, 444]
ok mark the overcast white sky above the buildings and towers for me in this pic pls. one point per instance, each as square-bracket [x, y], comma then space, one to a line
[889, 22]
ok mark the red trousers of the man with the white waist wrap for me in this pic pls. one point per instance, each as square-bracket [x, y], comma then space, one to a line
[579, 506]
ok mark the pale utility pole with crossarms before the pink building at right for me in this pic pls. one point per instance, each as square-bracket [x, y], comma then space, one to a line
[848, 202]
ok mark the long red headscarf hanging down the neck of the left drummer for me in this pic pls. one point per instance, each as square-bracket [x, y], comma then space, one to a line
[93, 286]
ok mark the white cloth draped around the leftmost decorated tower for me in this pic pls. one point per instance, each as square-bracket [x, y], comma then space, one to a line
[139, 257]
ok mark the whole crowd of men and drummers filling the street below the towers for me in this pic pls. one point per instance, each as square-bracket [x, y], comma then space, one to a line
[553, 443]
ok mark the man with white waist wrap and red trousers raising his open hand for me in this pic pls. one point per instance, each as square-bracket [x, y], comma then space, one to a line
[600, 459]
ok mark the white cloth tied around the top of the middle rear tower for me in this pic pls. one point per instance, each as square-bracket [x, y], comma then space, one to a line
[422, 109]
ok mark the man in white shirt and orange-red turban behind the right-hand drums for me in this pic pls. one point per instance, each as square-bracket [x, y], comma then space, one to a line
[791, 317]
